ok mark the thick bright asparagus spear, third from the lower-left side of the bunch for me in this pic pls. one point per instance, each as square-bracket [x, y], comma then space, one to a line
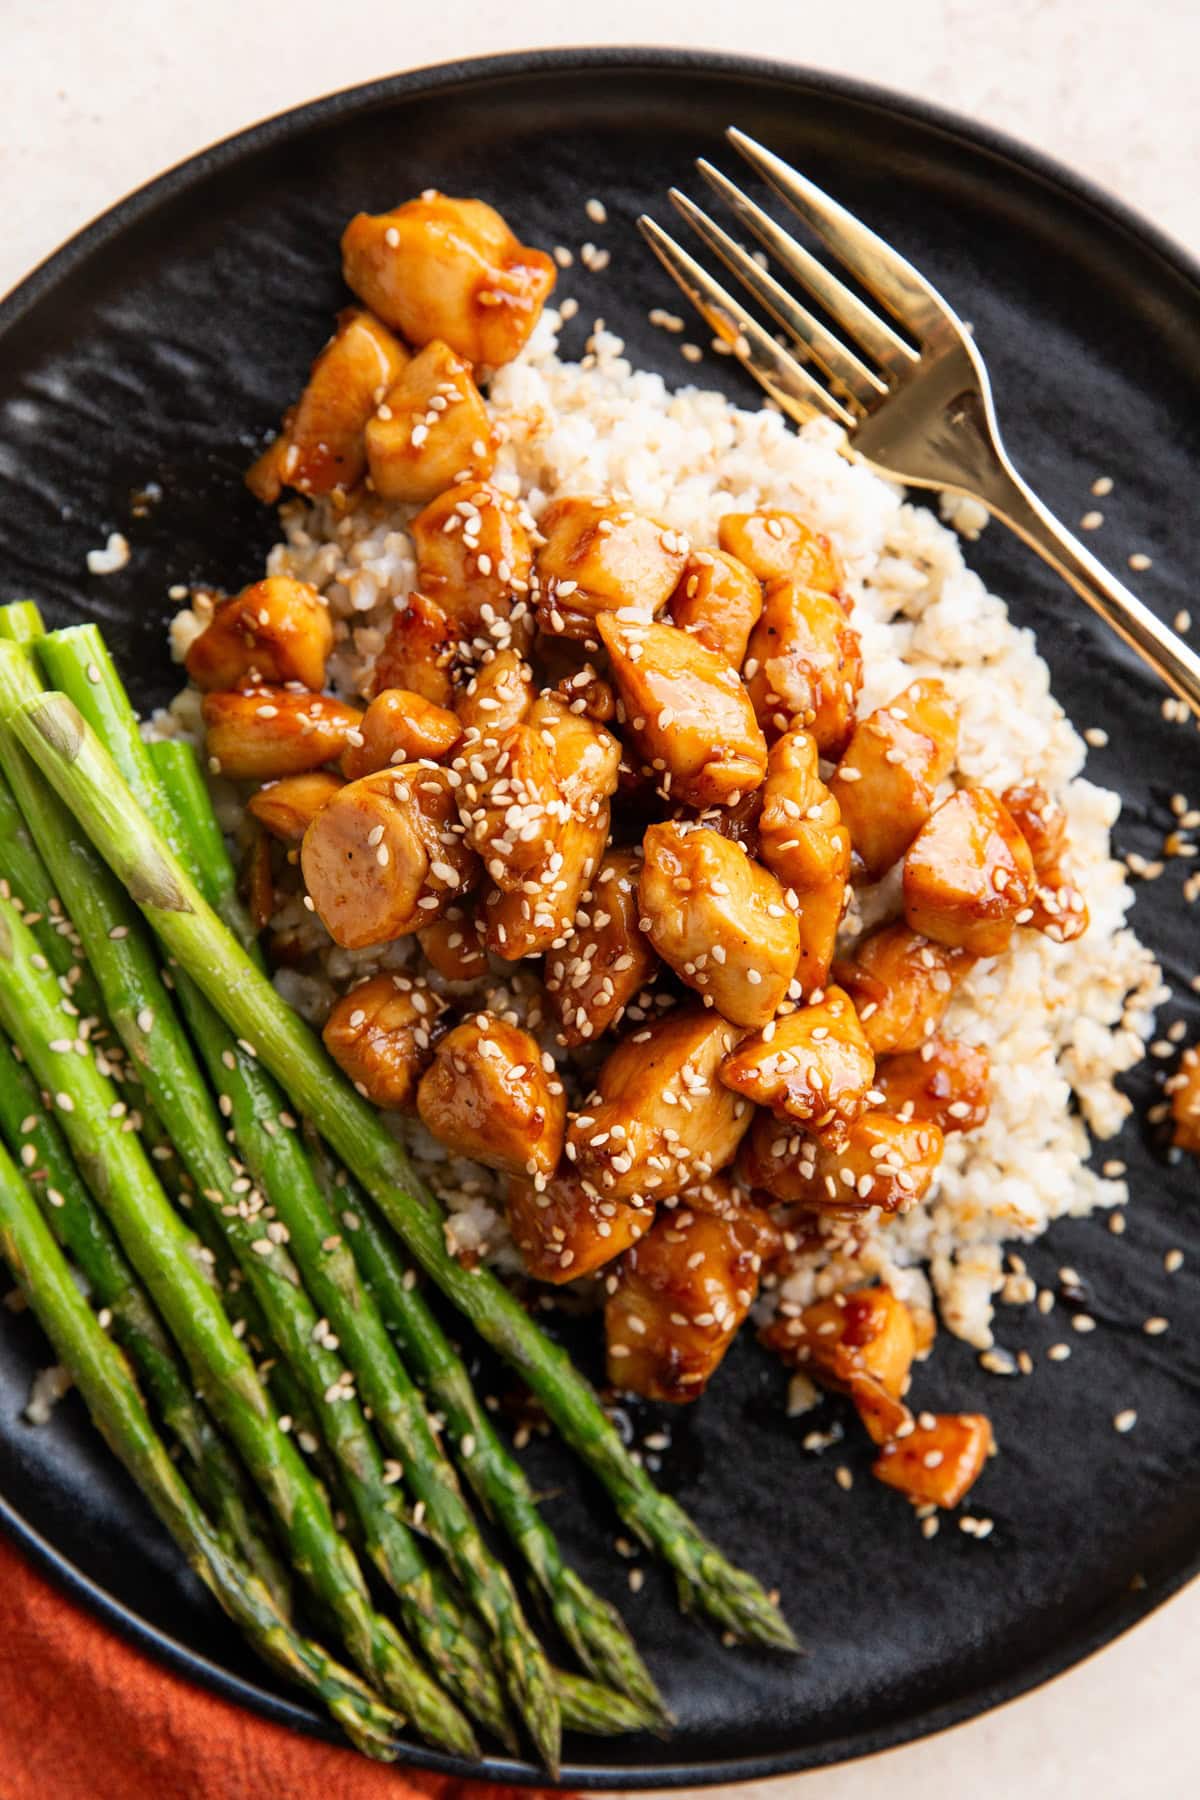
[170, 1263]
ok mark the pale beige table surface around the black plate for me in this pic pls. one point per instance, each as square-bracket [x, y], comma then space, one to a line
[102, 94]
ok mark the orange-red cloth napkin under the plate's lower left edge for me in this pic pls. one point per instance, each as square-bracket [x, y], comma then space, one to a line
[87, 1718]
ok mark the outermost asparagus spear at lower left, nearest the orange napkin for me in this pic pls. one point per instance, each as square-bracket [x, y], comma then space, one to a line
[116, 1407]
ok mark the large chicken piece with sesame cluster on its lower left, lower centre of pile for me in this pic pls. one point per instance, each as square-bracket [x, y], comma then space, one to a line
[659, 1119]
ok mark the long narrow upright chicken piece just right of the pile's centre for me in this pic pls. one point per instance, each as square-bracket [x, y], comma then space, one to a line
[807, 847]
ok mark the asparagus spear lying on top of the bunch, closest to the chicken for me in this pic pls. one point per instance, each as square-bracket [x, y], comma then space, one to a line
[78, 766]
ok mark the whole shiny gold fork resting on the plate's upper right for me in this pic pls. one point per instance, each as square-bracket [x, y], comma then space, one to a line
[918, 415]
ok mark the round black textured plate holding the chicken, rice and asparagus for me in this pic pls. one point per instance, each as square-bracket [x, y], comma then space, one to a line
[163, 345]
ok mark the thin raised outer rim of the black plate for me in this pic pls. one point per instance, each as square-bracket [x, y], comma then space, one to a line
[21, 301]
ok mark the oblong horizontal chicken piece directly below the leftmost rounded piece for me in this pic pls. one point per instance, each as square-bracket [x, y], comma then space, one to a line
[273, 732]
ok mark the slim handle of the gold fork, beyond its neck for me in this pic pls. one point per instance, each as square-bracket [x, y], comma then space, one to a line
[1017, 505]
